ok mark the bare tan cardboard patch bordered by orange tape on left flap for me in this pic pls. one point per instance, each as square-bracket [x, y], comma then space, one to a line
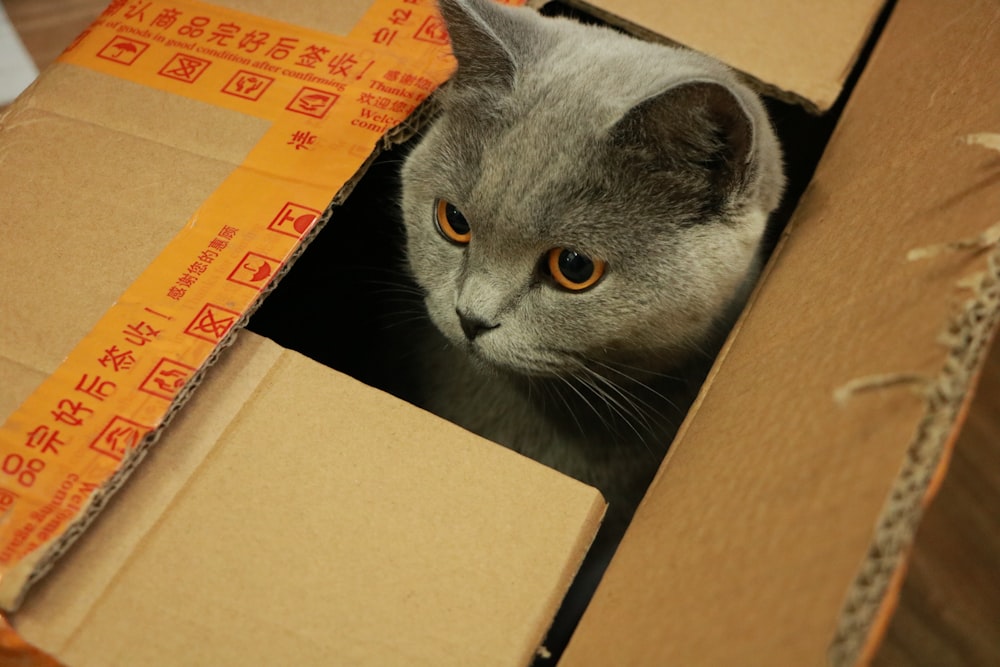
[56, 249]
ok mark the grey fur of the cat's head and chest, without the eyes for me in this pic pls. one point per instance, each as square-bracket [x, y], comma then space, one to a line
[654, 159]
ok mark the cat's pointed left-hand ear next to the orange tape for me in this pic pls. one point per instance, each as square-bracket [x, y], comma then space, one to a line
[481, 35]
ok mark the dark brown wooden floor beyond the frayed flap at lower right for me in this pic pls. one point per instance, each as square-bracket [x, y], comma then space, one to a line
[949, 602]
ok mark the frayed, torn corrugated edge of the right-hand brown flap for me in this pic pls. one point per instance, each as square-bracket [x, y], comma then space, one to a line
[872, 597]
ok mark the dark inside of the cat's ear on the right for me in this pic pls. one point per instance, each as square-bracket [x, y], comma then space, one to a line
[701, 124]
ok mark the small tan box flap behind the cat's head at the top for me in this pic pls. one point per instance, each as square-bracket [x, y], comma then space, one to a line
[798, 50]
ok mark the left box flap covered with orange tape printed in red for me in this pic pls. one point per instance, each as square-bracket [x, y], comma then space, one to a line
[98, 167]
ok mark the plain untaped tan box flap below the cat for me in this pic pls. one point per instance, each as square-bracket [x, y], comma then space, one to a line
[292, 515]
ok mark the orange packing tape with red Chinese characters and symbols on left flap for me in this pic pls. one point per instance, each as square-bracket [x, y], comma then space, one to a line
[330, 99]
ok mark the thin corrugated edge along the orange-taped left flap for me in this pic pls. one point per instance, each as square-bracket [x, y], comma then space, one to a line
[37, 564]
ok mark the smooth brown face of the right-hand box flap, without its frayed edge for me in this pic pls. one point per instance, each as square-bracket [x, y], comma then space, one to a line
[745, 547]
